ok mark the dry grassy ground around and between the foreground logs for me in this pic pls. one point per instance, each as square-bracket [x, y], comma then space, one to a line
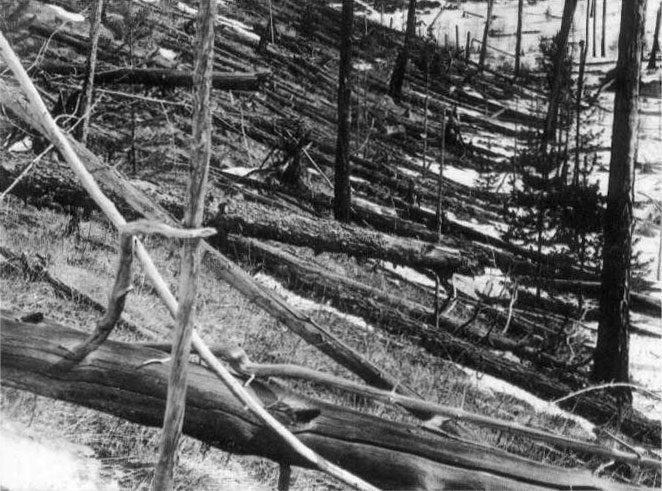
[86, 261]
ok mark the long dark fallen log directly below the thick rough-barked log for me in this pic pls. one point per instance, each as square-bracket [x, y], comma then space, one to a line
[358, 299]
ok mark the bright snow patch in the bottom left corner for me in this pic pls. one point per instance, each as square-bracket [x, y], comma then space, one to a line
[29, 463]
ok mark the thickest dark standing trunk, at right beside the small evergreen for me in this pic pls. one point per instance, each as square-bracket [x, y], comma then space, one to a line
[611, 353]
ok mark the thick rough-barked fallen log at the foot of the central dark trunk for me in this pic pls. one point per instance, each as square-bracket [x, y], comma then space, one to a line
[331, 236]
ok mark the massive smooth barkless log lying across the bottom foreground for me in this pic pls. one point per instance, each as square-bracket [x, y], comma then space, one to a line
[118, 379]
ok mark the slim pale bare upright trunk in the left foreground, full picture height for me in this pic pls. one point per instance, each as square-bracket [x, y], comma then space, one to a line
[190, 264]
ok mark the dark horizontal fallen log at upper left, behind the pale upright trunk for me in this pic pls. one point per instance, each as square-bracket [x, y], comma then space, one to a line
[161, 77]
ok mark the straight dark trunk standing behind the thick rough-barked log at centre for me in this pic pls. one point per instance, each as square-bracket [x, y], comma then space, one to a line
[342, 190]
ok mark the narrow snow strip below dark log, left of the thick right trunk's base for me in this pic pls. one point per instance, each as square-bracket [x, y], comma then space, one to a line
[486, 382]
